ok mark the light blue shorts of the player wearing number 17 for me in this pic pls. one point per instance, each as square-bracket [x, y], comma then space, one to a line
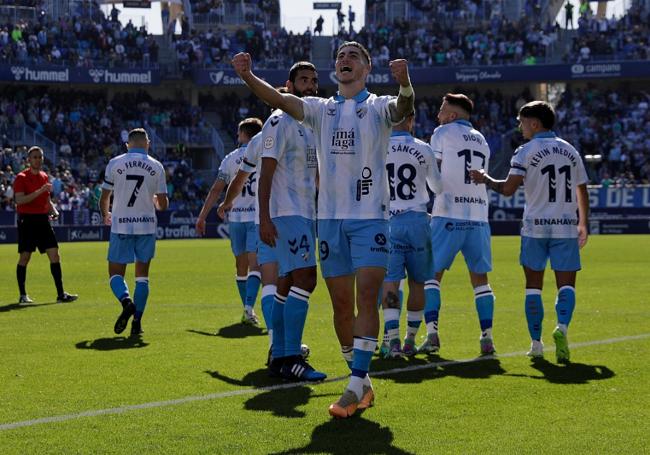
[472, 238]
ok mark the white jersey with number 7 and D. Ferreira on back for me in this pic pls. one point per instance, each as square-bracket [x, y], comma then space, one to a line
[134, 178]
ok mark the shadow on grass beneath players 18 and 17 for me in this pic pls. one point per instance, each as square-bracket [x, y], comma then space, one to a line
[415, 370]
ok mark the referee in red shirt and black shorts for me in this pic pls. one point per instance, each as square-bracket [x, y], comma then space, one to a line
[35, 208]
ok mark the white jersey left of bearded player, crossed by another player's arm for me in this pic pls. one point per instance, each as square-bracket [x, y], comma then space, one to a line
[243, 209]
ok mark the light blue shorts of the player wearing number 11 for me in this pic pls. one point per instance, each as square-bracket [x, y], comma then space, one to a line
[564, 254]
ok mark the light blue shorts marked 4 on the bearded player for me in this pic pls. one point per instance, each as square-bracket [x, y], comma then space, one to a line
[295, 246]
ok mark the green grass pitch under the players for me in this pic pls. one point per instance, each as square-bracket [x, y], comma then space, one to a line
[62, 363]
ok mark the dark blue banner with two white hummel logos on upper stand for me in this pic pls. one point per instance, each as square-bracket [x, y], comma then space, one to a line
[48, 74]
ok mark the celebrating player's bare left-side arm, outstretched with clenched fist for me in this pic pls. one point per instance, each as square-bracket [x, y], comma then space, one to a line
[290, 104]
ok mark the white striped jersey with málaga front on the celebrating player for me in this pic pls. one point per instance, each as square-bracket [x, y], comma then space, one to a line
[352, 139]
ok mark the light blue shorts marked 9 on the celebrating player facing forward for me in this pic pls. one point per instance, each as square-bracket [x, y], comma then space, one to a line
[347, 245]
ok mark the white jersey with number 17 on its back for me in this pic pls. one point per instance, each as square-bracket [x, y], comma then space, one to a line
[460, 148]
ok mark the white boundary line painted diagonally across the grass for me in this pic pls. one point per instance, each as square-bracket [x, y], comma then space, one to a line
[232, 393]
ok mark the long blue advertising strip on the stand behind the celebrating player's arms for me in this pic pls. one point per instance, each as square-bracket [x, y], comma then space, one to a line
[452, 75]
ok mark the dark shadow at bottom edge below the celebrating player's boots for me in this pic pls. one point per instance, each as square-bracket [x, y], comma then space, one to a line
[355, 435]
